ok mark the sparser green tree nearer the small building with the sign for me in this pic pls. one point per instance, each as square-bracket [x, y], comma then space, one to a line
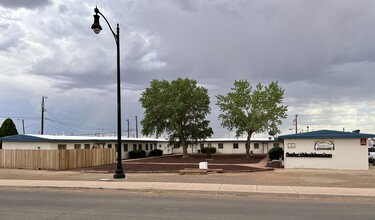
[252, 111]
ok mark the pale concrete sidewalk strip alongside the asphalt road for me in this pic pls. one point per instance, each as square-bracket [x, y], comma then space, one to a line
[197, 188]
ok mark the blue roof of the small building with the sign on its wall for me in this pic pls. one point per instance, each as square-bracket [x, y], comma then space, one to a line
[326, 134]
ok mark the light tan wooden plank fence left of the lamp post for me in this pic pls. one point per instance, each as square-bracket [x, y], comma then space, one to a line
[56, 159]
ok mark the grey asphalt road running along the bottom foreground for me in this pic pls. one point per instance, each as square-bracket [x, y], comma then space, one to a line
[77, 204]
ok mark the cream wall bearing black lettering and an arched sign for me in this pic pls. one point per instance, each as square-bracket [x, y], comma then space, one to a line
[347, 155]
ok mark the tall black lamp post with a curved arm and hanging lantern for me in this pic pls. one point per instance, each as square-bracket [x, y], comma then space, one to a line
[119, 172]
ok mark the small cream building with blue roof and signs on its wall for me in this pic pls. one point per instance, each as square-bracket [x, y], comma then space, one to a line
[326, 149]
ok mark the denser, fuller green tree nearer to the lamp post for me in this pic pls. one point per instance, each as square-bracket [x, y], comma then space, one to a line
[178, 109]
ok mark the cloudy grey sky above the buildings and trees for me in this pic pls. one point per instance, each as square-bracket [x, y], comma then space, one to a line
[321, 52]
